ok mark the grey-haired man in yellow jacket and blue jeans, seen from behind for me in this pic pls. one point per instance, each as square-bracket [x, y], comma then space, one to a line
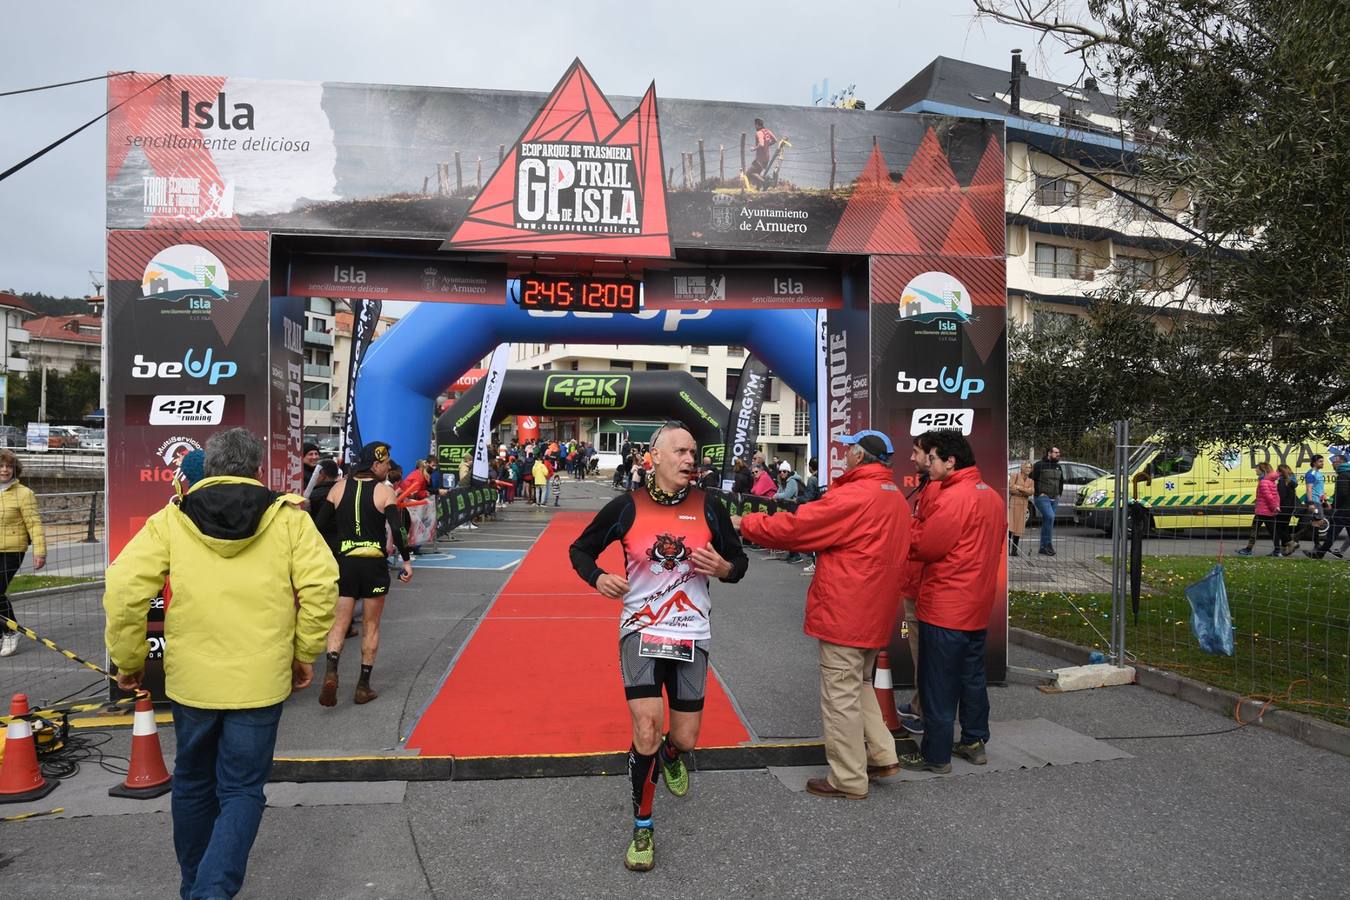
[237, 643]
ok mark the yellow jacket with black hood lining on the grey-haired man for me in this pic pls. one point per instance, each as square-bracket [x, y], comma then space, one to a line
[254, 588]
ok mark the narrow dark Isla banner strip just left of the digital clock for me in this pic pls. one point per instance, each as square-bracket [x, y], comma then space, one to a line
[398, 279]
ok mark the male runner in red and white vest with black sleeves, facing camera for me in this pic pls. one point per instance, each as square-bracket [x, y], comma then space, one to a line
[676, 538]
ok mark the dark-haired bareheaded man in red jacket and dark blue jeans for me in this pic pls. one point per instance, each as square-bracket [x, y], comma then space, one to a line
[959, 546]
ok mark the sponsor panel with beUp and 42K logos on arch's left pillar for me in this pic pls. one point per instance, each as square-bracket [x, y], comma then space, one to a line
[187, 318]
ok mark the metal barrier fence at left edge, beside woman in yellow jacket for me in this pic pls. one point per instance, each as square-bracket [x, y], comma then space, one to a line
[63, 602]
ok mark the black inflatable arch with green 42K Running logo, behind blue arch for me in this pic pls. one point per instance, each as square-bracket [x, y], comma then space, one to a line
[664, 395]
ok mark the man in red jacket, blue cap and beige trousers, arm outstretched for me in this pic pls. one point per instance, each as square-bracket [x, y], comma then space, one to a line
[861, 534]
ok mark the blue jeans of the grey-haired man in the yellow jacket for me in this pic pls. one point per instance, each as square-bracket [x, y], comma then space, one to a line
[225, 758]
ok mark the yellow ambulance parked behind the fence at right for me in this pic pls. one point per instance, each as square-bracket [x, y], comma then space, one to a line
[1209, 488]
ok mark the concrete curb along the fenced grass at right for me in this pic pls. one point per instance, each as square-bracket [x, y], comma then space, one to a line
[1317, 733]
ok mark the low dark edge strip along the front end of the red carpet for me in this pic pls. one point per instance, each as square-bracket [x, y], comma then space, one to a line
[487, 768]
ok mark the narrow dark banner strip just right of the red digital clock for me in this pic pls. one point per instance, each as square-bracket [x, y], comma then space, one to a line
[742, 288]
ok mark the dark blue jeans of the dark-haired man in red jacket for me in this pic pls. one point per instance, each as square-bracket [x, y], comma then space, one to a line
[951, 681]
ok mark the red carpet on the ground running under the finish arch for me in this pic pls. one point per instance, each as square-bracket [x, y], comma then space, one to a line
[541, 675]
